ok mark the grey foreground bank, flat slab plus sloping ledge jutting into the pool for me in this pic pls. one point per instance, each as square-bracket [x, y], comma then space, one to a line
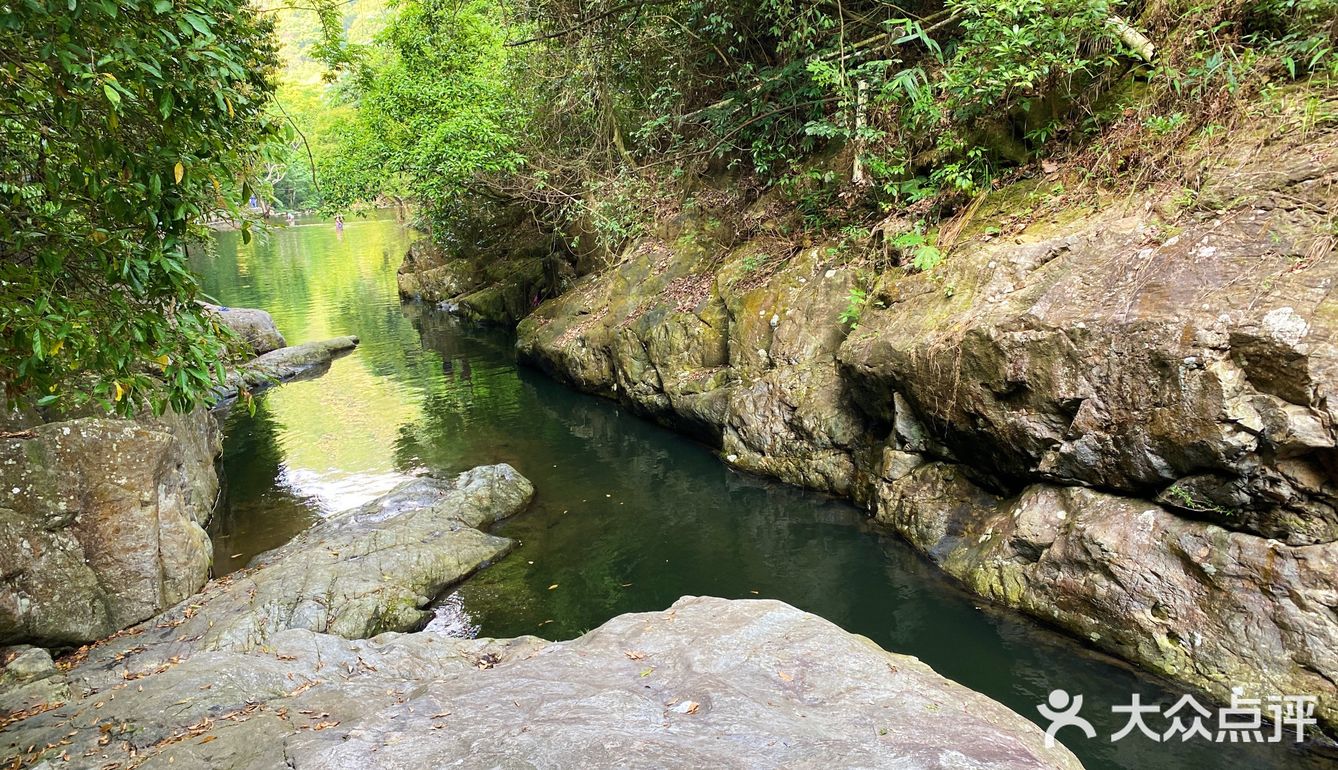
[294, 664]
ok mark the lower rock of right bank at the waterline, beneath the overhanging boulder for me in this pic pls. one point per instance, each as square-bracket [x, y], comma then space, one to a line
[1186, 599]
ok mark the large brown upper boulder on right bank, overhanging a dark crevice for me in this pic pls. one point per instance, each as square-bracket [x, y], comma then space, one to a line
[1079, 376]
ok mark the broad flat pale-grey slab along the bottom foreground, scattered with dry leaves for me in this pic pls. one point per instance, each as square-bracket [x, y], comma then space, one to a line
[708, 682]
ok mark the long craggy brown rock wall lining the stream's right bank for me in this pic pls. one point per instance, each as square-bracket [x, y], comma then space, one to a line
[1121, 420]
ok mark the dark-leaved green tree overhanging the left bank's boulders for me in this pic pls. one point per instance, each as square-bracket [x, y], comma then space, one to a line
[125, 127]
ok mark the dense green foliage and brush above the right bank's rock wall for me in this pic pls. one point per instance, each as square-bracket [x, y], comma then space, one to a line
[597, 113]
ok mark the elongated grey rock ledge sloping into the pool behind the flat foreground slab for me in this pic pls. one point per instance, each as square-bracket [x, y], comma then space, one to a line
[358, 574]
